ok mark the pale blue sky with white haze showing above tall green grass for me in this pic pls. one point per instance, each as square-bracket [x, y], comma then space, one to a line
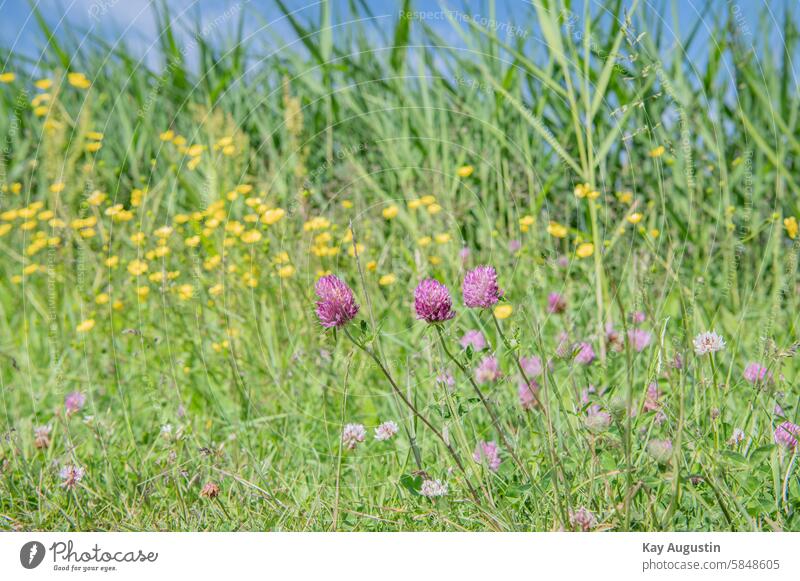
[133, 21]
